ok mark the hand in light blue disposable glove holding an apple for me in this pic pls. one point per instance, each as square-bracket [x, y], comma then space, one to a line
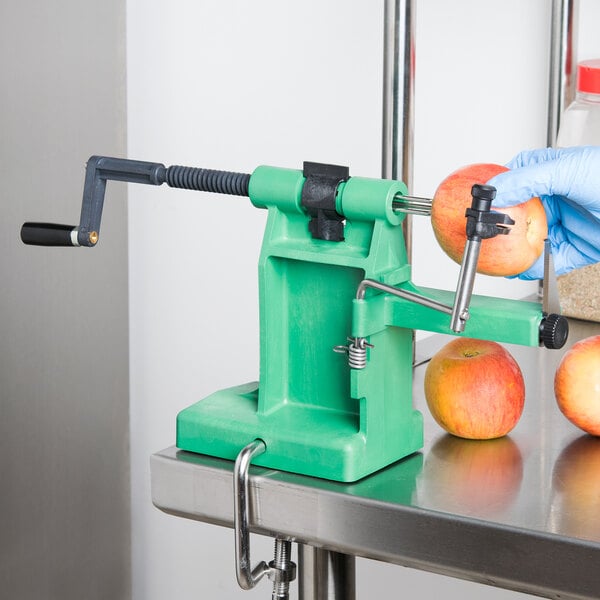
[567, 180]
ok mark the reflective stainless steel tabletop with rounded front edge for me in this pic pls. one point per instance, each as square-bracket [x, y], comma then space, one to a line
[521, 512]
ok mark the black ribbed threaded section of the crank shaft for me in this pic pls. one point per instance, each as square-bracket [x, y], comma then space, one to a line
[208, 180]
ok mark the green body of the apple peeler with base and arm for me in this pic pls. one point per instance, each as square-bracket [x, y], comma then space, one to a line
[317, 416]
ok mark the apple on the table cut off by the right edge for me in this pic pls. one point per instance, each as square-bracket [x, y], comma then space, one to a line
[577, 384]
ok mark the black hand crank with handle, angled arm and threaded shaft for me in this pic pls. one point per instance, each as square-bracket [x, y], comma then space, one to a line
[101, 169]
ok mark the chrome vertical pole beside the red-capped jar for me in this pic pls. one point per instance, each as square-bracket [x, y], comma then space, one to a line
[563, 63]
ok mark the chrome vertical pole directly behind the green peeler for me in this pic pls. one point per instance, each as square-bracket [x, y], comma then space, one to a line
[398, 97]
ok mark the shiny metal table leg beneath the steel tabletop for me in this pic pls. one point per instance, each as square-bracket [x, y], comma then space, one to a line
[325, 575]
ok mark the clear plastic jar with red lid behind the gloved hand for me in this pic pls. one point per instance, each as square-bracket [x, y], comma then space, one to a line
[579, 290]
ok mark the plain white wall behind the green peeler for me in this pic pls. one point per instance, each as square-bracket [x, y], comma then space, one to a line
[234, 84]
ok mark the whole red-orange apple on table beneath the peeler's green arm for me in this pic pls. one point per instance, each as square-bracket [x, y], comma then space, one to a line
[475, 389]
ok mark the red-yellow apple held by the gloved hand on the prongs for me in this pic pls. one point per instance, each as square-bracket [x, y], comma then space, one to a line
[503, 255]
